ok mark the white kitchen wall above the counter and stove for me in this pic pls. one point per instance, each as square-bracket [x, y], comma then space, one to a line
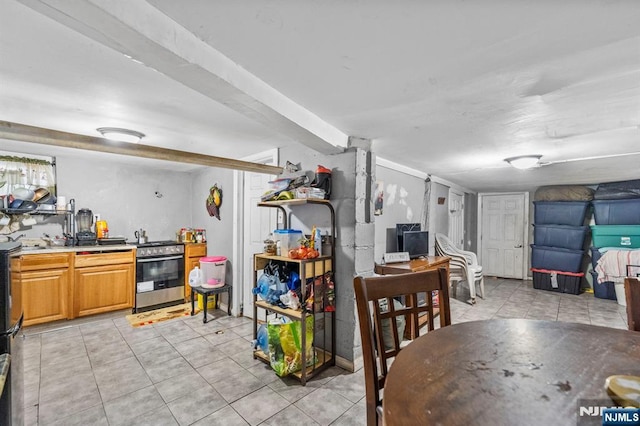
[124, 195]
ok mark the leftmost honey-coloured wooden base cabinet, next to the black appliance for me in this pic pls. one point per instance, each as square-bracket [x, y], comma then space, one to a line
[44, 283]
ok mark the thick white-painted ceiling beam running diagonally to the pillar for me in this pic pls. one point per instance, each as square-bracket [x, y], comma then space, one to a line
[142, 32]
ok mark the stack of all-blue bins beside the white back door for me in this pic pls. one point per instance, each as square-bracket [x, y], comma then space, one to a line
[557, 253]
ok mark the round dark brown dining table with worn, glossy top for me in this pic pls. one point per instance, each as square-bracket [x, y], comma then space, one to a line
[507, 372]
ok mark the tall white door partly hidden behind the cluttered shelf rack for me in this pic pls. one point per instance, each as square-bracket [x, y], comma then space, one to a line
[258, 223]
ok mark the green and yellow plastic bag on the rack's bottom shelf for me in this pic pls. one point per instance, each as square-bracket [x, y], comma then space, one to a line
[285, 345]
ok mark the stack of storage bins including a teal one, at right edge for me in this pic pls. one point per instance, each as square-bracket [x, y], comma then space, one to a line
[616, 208]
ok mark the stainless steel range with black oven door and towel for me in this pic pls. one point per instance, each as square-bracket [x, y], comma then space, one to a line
[159, 274]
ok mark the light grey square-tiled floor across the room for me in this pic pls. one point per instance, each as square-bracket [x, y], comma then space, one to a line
[101, 371]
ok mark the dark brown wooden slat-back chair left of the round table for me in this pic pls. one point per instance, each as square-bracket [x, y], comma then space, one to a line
[380, 317]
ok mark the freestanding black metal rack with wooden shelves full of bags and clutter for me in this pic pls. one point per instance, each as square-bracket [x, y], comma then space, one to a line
[292, 288]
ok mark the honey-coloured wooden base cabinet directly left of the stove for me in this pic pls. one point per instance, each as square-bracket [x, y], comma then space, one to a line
[103, 282]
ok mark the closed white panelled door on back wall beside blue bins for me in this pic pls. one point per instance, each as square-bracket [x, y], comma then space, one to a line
[503, 234]
